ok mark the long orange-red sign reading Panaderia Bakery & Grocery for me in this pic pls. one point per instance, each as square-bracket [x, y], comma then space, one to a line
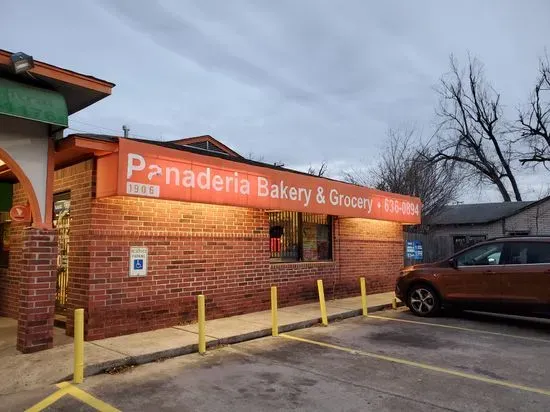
[147, 170]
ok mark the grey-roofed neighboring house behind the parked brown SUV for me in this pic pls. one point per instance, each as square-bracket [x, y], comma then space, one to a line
[460, 226]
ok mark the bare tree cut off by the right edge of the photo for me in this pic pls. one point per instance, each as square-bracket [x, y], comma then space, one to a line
[534, 121]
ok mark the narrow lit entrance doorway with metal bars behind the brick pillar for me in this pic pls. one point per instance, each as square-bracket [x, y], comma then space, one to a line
[62, 222]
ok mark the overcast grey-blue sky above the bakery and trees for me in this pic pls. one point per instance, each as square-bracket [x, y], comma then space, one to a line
[296, 81]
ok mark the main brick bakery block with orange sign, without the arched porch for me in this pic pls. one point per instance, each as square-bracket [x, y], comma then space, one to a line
[218, 240]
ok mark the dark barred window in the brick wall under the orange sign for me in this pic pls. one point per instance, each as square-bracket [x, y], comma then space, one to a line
[300, 237]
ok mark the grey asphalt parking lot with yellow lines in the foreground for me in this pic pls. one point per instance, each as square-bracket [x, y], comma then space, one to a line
[391, 361]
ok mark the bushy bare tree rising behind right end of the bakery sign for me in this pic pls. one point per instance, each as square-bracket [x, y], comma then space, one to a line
[405, 168]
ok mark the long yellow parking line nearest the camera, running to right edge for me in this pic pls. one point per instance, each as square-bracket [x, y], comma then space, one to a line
[422, 366]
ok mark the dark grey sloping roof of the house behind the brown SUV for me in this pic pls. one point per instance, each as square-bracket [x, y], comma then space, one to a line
[476, 213]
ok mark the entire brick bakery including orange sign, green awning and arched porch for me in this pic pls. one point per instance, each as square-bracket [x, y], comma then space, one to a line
[132, 230]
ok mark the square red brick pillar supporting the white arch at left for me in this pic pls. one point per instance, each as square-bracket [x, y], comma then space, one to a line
[37, 290]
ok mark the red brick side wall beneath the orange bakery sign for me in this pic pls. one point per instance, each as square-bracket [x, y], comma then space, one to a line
[220, 251]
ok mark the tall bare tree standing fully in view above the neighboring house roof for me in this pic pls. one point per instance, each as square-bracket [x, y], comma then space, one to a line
[472, 133]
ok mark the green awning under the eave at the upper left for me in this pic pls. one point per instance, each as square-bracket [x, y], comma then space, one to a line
[32, 103]
